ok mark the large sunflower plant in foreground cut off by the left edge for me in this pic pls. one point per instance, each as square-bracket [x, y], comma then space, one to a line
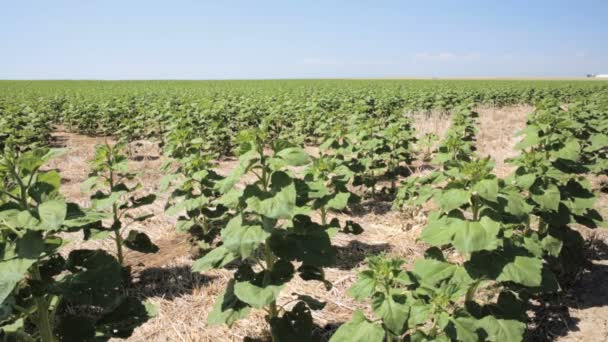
[39, 289]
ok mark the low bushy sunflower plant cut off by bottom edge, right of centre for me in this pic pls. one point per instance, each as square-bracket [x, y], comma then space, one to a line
[433, 302]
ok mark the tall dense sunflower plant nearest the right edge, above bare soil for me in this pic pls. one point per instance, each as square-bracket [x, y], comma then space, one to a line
[551, 170]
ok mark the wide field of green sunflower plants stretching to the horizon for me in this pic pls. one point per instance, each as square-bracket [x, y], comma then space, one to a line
[307, 156]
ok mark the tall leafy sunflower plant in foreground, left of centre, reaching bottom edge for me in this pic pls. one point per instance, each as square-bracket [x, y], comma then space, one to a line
[270, 233]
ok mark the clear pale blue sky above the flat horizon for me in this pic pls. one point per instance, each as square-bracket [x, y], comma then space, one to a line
[179, 39]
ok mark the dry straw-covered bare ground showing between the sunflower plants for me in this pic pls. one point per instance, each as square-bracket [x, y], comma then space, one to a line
[184, 299]
